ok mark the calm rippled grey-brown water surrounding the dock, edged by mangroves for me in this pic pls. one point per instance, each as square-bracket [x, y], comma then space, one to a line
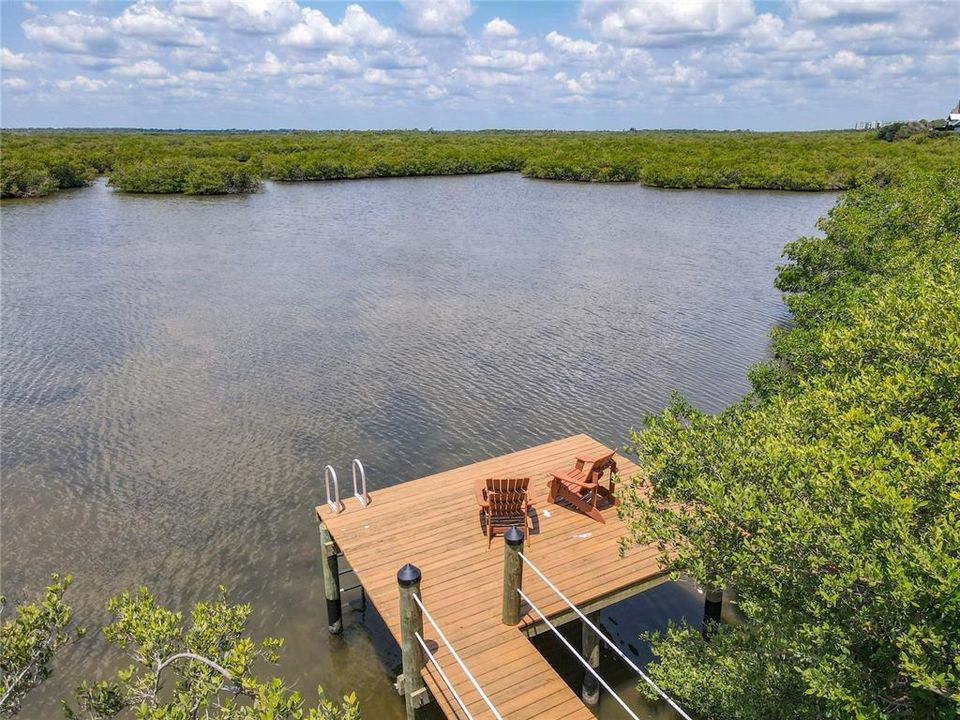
[177, 371]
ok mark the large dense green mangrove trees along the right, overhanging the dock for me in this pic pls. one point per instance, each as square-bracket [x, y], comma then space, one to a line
[829, 498]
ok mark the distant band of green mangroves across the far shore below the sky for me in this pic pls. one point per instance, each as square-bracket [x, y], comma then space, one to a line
[224, 162]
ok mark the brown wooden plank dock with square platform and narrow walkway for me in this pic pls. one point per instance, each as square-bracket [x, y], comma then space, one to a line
[434, 524]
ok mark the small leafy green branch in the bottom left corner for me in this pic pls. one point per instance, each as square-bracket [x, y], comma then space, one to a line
[29, 640]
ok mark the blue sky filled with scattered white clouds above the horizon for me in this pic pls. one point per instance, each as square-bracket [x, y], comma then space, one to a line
[462, 64]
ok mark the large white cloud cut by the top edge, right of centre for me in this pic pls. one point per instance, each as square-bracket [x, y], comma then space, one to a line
[665, 22]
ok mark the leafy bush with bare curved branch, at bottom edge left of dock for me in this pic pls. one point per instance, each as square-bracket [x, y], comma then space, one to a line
[203, 670]
